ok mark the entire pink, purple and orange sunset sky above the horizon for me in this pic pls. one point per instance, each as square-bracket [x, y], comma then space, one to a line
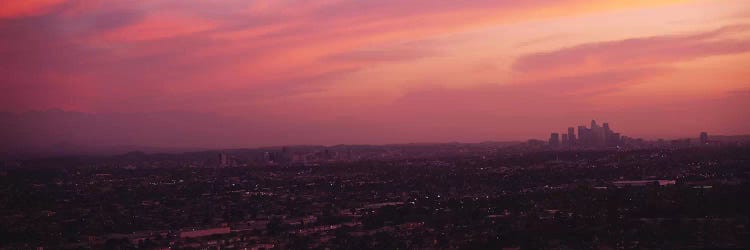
[242, 73]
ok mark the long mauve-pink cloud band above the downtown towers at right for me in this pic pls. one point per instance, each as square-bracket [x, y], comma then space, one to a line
[637, 52]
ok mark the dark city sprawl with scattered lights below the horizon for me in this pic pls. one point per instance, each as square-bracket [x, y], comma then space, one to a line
[689, 198]
